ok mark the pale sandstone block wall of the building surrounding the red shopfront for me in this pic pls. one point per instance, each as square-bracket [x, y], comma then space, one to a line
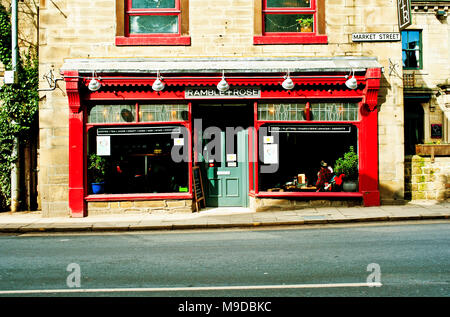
[91, 31]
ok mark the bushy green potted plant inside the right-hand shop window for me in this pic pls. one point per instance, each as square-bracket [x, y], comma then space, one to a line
[348, 165]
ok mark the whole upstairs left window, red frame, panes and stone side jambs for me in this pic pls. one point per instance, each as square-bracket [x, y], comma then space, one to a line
[148, 22]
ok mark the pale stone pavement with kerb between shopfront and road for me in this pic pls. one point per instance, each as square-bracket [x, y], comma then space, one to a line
[32, 221]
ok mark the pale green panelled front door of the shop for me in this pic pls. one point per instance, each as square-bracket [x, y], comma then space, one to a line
[226, 177]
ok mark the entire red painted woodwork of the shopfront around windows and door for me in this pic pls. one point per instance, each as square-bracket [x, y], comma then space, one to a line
[134, 88]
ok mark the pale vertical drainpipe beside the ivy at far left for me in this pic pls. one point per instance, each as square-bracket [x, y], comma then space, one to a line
[15, 171]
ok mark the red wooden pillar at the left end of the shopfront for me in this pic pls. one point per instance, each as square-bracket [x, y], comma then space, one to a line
[77, 203]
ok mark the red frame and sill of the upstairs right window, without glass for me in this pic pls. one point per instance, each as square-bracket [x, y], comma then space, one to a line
[290, 37]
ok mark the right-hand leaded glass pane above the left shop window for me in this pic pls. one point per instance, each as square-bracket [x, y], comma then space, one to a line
[161, 113]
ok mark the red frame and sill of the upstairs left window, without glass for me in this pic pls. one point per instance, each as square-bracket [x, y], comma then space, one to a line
[152, 38]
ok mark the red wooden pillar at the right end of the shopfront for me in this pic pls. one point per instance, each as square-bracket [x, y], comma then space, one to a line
[368, 140]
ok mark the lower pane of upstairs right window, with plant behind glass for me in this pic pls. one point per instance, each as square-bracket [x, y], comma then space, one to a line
[289, 23]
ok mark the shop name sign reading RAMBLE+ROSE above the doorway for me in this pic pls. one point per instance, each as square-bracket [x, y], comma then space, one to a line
[213, 92]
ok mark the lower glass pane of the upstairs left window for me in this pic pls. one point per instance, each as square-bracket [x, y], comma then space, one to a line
[153, 24]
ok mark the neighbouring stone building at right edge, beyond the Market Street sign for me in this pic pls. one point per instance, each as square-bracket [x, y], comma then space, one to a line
[427, 104]
